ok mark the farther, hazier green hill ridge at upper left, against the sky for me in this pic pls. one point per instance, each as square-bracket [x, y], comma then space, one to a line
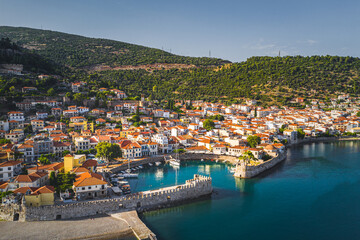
[79, 52]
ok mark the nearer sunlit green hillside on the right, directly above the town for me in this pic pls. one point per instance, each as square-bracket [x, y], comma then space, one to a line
[268, 79]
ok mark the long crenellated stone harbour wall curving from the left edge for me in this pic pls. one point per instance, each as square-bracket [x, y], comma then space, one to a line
[197, 187]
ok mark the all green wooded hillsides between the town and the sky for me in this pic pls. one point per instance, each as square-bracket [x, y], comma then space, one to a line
[271, 80]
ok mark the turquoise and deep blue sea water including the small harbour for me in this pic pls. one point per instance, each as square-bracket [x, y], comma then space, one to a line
[313, 194]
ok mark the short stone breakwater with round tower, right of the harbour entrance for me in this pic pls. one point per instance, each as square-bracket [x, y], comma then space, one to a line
[243, 170]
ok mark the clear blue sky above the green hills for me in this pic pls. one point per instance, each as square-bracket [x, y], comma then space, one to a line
[233, 30]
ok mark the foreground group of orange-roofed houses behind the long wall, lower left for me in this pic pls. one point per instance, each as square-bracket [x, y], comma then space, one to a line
[34, 186]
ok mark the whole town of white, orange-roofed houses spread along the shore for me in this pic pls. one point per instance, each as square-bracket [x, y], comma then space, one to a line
[78, 129]
